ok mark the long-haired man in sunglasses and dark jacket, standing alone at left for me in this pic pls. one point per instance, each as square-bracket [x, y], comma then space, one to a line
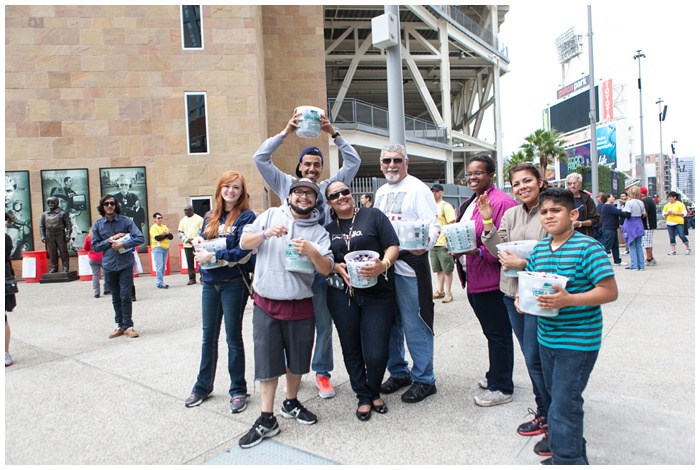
[118, 260]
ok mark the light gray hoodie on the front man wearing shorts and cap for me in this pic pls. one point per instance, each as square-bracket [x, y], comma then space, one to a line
[272, 280]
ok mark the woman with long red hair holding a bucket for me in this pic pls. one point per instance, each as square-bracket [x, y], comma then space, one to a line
[225, 290]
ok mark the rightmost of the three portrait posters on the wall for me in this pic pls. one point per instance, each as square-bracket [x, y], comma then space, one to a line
[128, 186]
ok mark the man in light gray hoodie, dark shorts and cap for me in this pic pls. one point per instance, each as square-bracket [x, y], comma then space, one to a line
[283, 311]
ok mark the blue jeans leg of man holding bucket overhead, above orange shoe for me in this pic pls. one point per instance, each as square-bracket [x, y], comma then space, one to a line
[322, 362]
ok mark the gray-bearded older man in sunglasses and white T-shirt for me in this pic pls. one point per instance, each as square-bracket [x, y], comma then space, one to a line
[405, 197]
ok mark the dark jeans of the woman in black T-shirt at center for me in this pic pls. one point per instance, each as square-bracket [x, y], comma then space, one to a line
[363, 327]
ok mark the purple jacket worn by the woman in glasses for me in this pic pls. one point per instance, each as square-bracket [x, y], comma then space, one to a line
[483, 272]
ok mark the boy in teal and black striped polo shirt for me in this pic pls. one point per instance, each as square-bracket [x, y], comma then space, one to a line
[569, 342]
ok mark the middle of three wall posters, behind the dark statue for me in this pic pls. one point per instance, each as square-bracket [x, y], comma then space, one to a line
[71, 188]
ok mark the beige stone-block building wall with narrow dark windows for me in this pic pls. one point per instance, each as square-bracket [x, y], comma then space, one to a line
[100, 86]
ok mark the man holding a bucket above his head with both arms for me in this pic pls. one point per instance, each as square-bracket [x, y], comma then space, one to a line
[311, 166]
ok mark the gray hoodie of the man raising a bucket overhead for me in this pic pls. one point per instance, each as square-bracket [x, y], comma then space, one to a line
[280, 182]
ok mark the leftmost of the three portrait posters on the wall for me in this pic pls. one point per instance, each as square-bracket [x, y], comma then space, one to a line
[18, 205]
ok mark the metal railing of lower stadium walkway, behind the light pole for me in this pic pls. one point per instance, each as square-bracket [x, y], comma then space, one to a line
[353, 111]
